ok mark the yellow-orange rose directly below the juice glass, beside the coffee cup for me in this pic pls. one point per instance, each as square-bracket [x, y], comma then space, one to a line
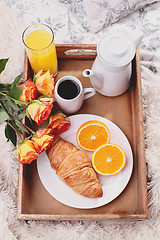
[44, 82]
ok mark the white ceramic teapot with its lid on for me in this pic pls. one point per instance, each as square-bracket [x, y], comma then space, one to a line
[112, 68]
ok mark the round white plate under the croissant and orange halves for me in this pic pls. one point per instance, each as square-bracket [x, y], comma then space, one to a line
[112, 185]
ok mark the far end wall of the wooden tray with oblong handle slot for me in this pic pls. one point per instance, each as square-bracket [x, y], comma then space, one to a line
[78, 51]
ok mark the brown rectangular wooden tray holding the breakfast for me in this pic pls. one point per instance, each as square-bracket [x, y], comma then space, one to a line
[35, 203]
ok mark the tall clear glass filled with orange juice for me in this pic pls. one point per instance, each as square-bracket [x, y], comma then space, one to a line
[40, 47]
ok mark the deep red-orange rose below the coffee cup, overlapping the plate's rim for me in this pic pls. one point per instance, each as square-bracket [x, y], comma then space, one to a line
[58, 123]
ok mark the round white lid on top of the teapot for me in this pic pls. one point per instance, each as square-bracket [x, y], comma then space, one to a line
[116, 49]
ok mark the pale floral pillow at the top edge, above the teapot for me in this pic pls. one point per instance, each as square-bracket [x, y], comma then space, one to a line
[95, 15]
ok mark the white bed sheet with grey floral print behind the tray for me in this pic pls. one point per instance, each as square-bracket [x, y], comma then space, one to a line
[68, 20]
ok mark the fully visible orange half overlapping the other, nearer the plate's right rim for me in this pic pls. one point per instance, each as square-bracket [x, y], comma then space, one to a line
[109, 159]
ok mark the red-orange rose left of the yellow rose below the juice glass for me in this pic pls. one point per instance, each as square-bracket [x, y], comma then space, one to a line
[29, 91]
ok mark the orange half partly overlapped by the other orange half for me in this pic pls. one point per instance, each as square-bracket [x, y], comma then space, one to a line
[92, 134]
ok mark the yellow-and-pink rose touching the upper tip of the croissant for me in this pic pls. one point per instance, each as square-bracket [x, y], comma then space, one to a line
[43, 139]
